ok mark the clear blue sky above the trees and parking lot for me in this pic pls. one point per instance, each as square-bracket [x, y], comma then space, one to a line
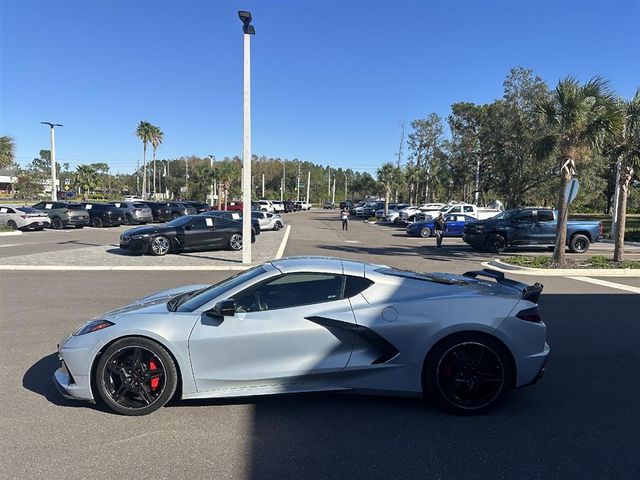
[331, 80]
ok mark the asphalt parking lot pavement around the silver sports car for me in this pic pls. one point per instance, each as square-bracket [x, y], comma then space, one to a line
[579, 421]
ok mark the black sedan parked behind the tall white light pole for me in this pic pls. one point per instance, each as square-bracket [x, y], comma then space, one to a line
[187, 233]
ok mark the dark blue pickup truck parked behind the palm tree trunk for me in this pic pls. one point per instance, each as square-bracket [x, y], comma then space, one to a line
[529, 226]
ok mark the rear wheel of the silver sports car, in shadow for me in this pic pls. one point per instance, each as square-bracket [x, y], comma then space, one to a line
[468, 373]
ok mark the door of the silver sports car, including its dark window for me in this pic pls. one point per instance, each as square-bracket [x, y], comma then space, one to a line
[289, 330]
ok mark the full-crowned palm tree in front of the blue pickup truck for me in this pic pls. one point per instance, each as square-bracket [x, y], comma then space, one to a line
[578, 117]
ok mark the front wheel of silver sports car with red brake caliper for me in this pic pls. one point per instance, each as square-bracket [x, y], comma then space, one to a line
[135, 376]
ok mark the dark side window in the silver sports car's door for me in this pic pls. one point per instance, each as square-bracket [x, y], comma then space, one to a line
[291, 290]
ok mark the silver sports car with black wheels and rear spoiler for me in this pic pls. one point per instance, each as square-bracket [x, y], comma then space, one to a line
[304, 324]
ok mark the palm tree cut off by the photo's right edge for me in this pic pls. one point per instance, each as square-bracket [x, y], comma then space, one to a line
[627, 149]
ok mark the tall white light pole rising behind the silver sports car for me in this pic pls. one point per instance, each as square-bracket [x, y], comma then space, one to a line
[248, 30]
